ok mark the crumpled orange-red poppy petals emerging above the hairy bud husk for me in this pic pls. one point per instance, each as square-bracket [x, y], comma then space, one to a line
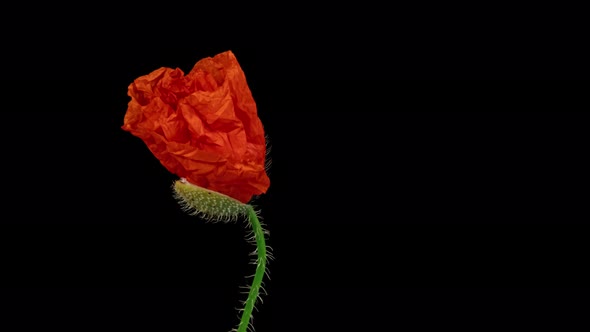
[202, 126]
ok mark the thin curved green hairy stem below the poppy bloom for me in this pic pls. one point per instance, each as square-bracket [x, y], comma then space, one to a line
[260, 269]
